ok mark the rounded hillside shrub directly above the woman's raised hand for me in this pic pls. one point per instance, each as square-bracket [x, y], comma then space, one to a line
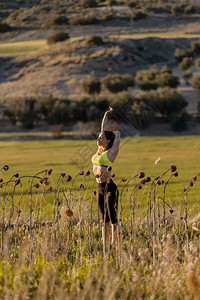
[116, 83]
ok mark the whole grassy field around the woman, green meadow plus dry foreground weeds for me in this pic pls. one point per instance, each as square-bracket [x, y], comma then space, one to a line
[66, 259]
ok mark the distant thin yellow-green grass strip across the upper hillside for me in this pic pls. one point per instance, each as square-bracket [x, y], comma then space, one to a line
[34, 45]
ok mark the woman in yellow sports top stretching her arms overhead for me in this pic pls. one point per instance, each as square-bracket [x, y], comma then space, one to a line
[107, 192]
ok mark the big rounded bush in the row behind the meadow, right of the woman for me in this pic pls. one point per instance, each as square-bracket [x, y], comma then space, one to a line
[166, 101]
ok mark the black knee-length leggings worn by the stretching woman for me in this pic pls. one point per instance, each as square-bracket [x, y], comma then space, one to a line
[107, 193]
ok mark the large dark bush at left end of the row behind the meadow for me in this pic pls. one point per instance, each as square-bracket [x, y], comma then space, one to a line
[22, 112]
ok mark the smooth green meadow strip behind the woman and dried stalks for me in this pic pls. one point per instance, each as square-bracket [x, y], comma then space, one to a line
[136, 154]
